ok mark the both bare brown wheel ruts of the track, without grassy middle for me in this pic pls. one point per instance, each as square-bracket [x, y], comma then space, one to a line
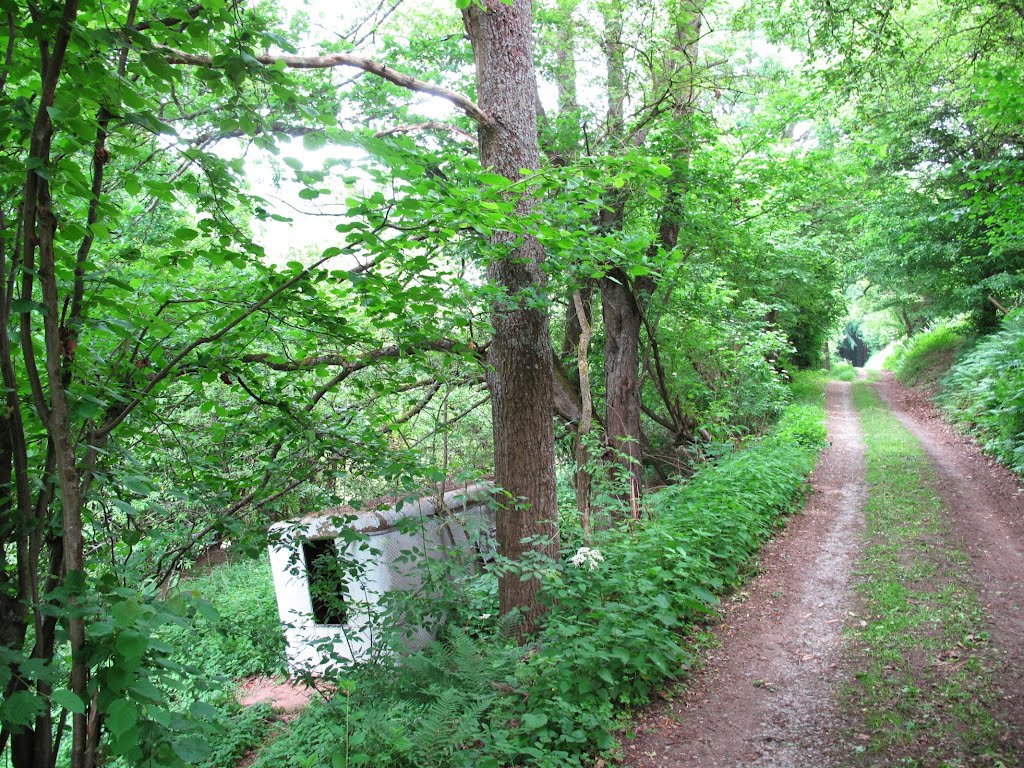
[767, 695]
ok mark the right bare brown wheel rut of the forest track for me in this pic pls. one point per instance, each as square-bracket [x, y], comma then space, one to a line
[986, 502]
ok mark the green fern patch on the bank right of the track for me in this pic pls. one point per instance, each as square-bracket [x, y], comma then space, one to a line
[986, 392]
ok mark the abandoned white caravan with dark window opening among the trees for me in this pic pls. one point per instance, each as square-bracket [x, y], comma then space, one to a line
[333, 572]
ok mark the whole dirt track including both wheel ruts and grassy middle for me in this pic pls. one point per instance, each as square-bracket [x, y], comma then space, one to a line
[886, 626]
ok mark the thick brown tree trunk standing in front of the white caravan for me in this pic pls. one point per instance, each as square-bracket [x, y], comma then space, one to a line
[521, 353]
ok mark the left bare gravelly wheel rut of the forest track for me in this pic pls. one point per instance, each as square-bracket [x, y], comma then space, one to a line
[765, 696]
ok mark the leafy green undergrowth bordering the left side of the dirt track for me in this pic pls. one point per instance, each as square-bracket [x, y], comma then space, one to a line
[617, 630]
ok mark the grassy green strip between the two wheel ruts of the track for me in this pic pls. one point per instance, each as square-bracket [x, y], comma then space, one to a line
[922, 693]
